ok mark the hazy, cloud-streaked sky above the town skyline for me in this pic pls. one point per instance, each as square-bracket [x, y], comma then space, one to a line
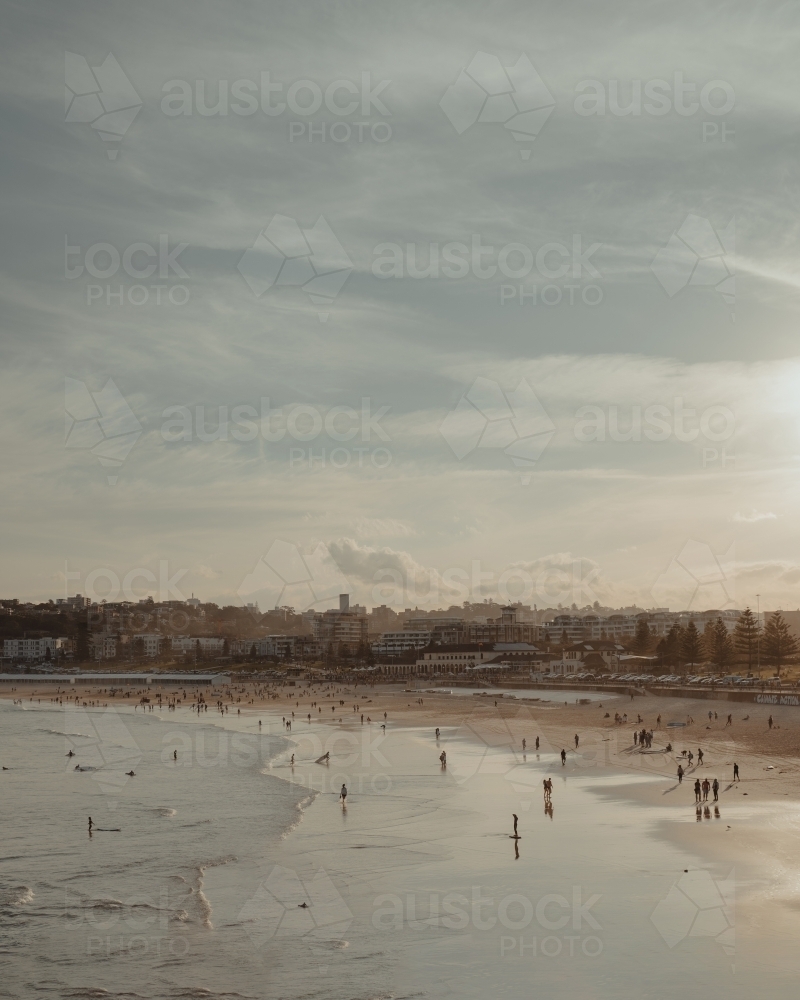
[424, 303]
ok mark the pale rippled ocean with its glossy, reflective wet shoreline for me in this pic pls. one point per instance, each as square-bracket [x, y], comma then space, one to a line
[233, 872]
